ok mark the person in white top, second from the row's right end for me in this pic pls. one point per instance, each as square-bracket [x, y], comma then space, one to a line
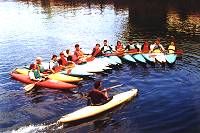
[156, 47]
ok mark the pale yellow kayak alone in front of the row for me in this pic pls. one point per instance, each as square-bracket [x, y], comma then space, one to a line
[90, 111]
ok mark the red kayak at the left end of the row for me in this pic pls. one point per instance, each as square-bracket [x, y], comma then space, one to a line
[49, 83]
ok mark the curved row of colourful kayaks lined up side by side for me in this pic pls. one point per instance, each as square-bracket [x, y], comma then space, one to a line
[99, 64]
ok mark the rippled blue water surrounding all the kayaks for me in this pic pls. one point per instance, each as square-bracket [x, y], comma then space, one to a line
[168, 100]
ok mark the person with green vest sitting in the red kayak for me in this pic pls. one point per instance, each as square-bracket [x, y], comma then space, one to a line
[34, 73]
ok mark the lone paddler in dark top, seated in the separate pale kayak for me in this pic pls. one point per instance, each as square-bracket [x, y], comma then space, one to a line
[96, 95]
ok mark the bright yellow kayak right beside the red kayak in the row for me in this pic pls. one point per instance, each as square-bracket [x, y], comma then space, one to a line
[56, 76]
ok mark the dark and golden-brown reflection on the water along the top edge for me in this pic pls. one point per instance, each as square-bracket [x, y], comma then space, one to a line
[144, 18]
